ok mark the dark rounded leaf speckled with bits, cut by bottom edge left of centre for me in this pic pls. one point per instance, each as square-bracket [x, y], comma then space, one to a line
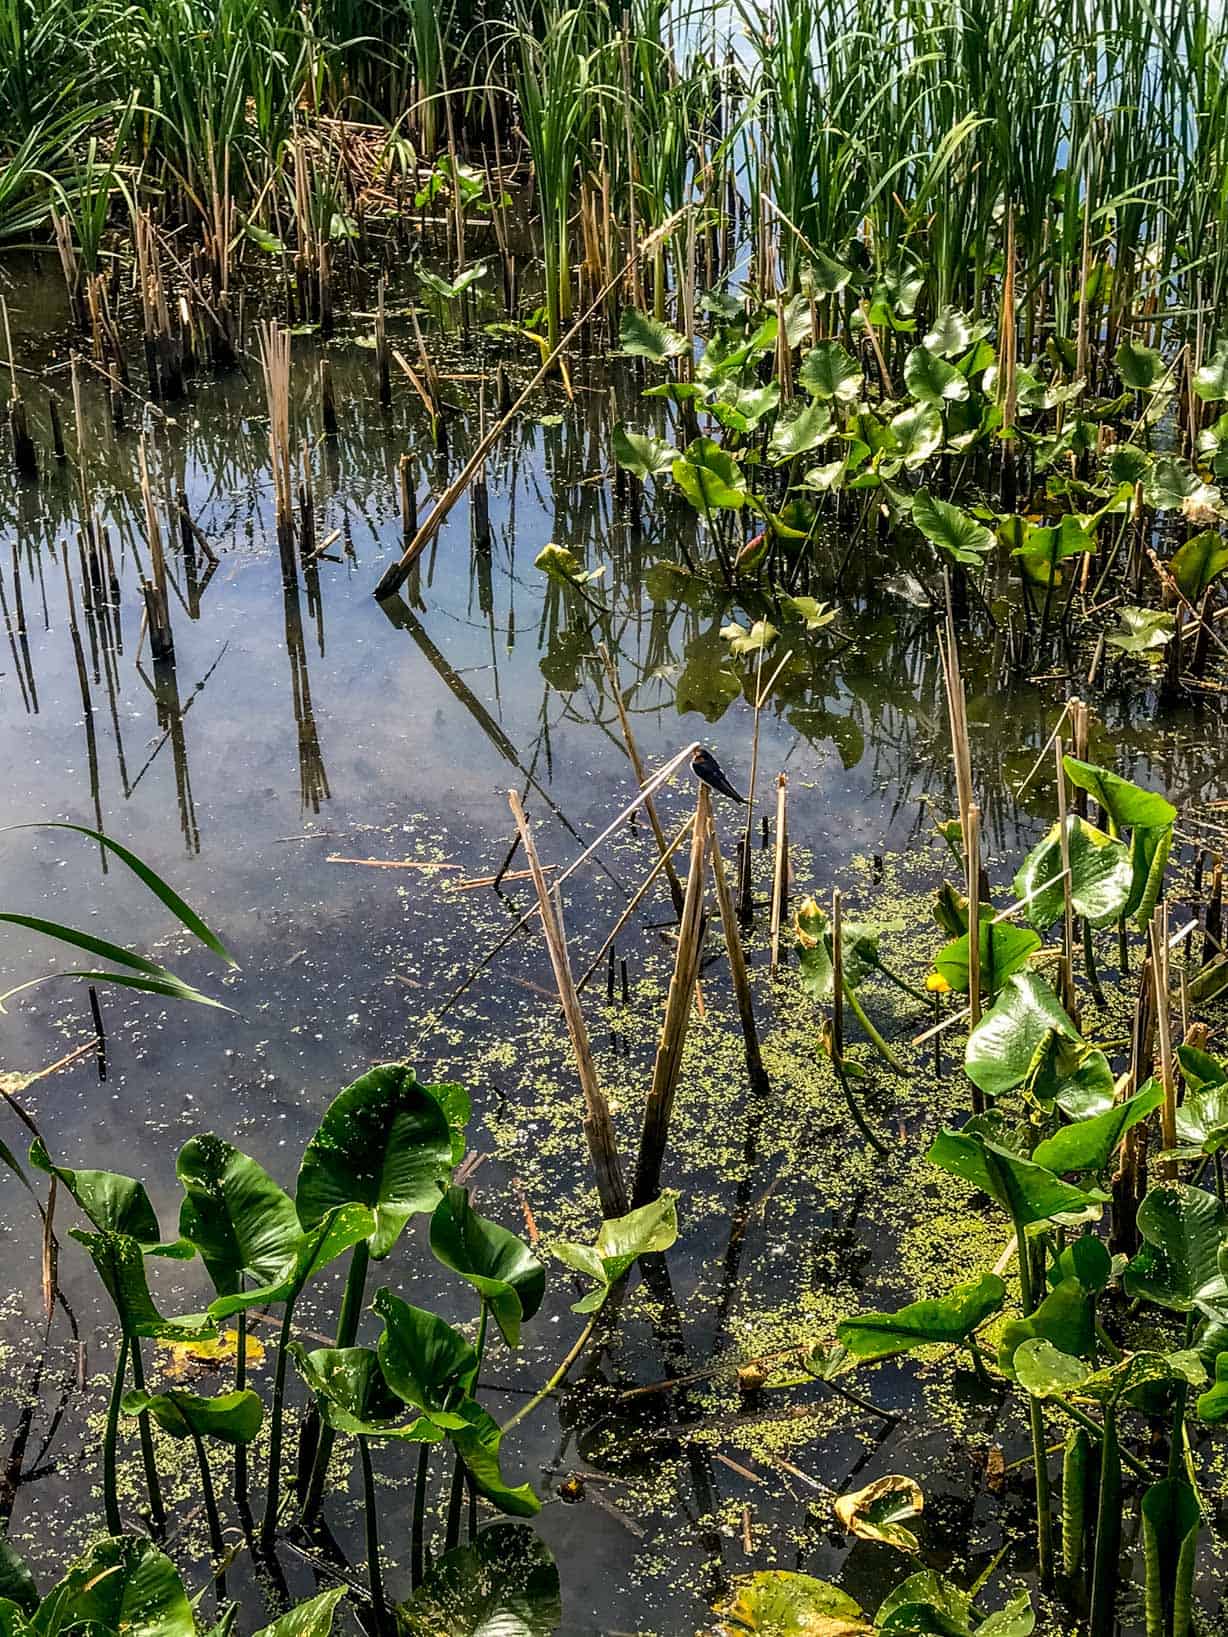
[502, 1585]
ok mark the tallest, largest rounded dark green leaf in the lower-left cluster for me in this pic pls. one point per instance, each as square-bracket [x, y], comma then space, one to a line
[384, 1143]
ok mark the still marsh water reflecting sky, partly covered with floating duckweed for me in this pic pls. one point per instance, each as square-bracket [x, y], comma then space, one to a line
[307, 729]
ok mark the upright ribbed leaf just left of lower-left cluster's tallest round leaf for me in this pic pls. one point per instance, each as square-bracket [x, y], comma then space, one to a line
[242, 1222]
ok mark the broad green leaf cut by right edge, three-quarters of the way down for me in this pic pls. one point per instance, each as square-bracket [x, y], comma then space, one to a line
[1183, 1232]
